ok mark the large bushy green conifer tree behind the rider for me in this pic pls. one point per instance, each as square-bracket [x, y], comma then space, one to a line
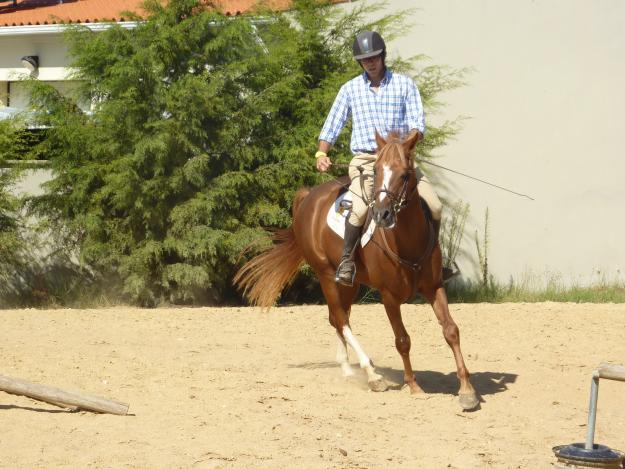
[204, 126]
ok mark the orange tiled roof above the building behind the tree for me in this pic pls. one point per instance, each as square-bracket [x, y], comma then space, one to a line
[35, 12]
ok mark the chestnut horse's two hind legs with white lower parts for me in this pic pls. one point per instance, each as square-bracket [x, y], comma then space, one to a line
[339, 300]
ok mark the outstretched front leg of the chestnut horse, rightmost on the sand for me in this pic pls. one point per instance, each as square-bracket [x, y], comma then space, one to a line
[467, 395]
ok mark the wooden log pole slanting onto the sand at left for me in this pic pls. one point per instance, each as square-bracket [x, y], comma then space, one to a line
[57, 396]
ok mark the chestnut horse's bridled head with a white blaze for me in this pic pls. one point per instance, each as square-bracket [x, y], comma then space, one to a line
[394, 177]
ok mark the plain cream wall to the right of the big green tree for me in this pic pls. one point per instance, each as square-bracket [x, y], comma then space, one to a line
[546, 103]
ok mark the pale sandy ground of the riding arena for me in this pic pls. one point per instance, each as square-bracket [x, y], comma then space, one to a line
[241, 388]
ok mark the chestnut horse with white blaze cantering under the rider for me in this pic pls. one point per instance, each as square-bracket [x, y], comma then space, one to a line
[402, 259]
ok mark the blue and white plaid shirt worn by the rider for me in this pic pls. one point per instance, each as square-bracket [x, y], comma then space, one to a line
[395, 107]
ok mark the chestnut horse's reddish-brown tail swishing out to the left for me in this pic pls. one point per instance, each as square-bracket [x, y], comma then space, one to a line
[263, 277]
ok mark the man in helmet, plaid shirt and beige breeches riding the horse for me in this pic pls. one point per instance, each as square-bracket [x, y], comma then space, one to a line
[377, 100]
